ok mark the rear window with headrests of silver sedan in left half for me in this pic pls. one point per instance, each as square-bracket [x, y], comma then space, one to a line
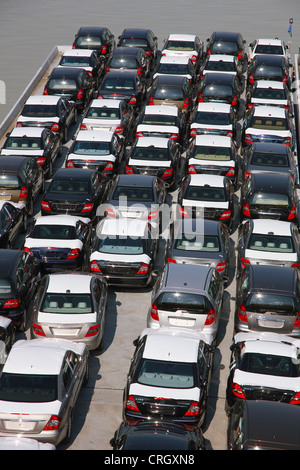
[65, 303]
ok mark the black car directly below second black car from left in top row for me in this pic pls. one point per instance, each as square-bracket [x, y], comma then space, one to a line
[129, 58]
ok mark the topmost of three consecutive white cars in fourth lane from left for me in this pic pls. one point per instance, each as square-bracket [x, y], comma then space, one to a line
[213, 118]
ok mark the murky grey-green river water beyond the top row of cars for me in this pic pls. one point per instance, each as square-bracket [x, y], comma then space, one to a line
[29, 29]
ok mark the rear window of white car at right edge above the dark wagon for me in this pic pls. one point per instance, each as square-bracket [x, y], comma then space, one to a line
[274, 243]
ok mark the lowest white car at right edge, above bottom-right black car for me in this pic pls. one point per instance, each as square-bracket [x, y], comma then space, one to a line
[264, 367]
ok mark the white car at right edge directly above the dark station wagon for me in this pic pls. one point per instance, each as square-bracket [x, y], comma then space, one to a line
[267, 241]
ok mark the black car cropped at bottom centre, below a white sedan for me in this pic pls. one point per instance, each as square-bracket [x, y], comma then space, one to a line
[155, 435]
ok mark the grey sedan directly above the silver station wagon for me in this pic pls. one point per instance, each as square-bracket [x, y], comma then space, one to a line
[206, 243]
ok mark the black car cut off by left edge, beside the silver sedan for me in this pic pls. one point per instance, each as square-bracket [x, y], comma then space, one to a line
[19, 280]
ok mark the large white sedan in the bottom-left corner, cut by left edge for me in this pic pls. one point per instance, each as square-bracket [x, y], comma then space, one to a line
[39, 386]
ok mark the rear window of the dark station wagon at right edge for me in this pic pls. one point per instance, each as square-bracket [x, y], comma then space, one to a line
[262, 303]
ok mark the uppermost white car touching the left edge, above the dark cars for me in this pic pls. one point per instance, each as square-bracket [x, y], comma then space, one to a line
[41, 144]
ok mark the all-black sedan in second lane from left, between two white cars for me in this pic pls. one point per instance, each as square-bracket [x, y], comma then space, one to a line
[74, 191]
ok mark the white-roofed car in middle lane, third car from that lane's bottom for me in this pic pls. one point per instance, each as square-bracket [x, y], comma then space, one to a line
[156, 156]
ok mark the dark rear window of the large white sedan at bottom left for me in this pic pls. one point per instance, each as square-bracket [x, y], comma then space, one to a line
[25, 388]
